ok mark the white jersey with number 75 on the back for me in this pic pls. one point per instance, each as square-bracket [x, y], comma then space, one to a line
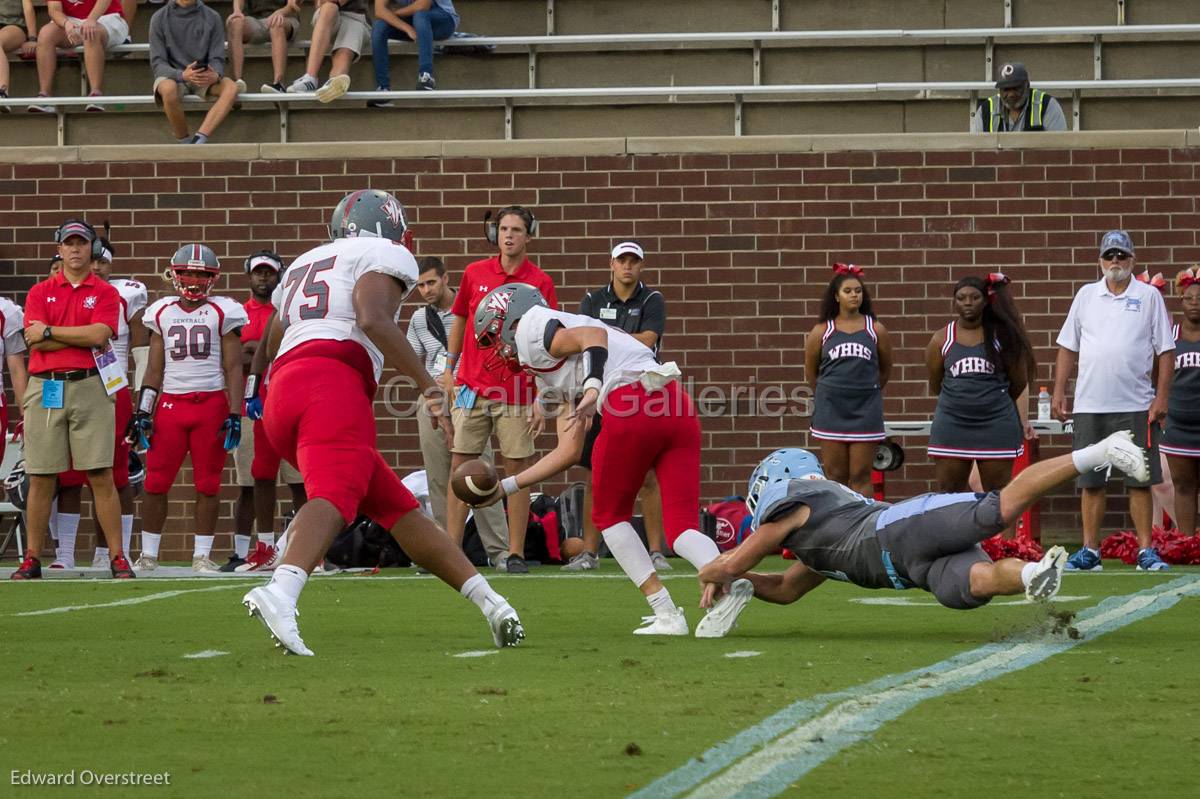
[316, 293]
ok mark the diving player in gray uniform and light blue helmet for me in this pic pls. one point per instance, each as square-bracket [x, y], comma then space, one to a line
[931, 542]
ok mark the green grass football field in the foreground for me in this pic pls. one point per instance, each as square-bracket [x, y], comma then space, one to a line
[584, 708]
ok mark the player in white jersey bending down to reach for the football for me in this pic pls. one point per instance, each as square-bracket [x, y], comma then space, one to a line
[650, 424]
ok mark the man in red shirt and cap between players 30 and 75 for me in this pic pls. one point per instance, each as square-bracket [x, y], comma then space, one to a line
[256, 464]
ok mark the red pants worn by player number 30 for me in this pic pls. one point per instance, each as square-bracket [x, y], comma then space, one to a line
[188, 423]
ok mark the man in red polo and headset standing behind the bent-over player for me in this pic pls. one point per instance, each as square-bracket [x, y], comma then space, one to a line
[487, 401]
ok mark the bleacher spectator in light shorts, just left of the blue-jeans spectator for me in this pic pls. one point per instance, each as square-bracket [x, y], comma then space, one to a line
[339, 27]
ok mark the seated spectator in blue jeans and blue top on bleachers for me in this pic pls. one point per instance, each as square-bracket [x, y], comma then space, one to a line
[421, 21]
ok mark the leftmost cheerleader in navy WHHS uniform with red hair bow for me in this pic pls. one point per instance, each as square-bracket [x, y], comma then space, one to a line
[848, 359]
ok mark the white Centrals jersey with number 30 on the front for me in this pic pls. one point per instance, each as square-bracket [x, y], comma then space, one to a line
[193, 341]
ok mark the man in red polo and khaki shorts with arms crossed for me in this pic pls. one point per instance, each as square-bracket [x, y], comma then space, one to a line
[69, 412]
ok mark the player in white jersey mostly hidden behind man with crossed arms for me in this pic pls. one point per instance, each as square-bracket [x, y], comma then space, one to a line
[133, 338]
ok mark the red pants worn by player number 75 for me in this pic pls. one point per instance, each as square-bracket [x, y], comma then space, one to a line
[320, 417]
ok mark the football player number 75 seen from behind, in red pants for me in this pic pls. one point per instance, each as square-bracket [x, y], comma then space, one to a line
[338, 309]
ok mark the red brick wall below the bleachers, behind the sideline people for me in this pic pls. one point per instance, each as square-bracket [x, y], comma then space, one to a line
[741, 245]
